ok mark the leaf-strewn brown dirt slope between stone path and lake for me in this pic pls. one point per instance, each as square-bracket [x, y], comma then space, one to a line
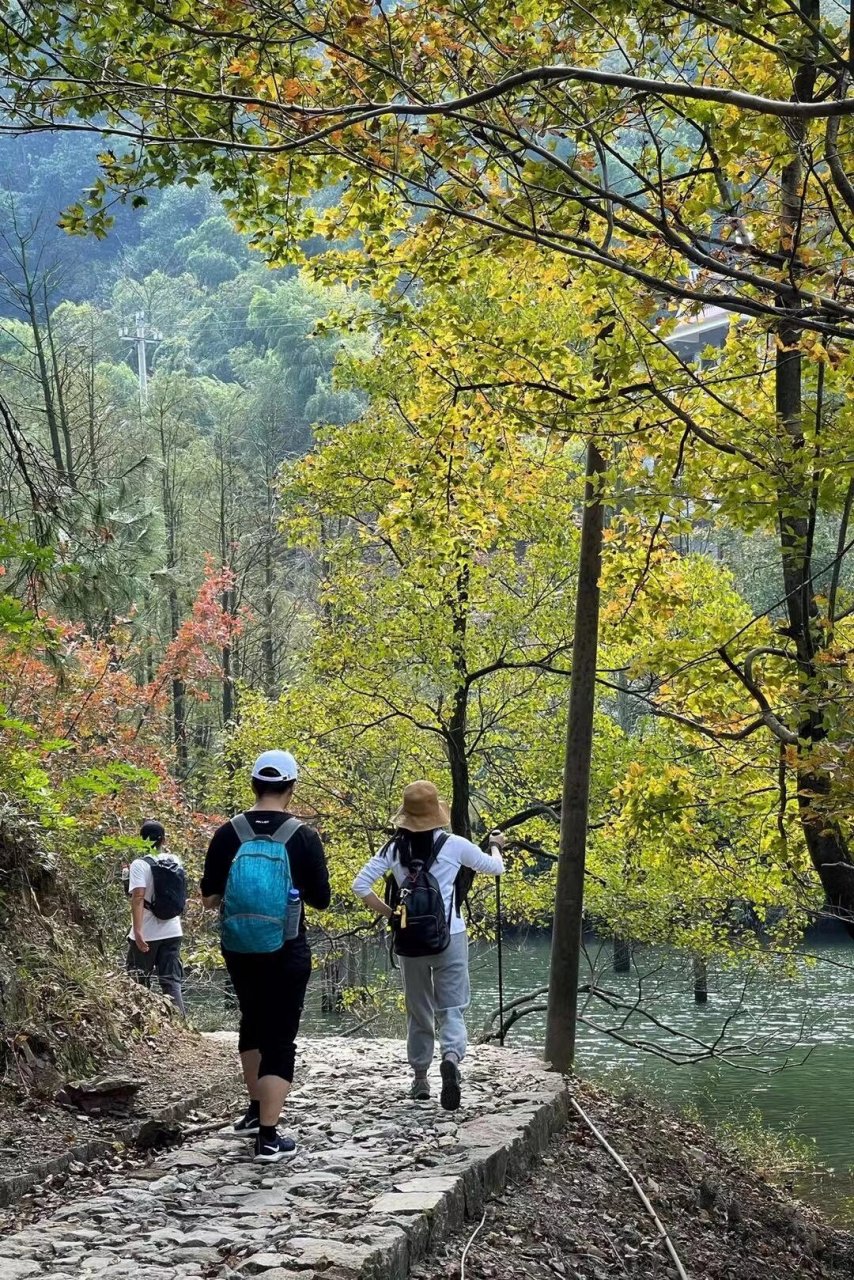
[578, 1217]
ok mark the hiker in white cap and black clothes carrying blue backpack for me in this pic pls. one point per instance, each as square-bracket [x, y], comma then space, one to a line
[262, 868]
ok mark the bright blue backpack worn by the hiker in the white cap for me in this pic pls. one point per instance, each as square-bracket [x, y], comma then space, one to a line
[255, 904]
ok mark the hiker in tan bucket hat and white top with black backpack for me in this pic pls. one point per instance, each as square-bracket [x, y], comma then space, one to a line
[423, 866]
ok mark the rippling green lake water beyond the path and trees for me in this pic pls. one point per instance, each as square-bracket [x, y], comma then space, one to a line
[765, 1021]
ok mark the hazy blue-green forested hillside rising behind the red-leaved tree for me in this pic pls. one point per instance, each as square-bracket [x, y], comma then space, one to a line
[236, 382]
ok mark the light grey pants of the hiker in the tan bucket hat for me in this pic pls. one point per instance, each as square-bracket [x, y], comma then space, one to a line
[437, 993]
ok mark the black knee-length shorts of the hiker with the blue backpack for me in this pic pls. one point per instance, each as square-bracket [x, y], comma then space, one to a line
[271, 991]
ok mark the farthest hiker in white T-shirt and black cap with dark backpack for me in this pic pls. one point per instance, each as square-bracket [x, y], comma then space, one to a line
[158, 890]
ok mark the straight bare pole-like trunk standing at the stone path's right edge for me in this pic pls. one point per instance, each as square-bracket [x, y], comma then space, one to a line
[569, 895]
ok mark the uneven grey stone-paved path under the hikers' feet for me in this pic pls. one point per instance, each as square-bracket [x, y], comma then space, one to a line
[375, 1181]
